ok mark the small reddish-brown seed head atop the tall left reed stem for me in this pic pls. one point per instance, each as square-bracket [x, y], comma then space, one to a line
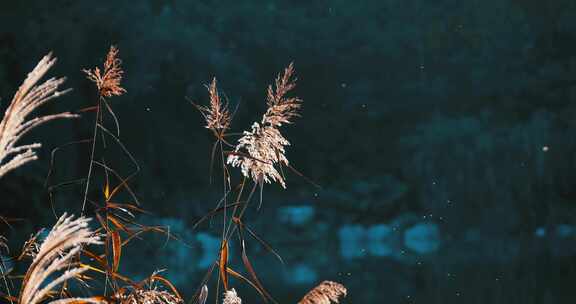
[108, 80]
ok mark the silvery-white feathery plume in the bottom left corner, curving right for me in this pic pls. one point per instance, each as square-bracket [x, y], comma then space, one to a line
[55, 255]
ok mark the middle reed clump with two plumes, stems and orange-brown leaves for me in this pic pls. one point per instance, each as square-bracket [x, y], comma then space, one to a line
[260, 154]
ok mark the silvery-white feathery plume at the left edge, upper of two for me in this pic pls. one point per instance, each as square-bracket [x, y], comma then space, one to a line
[15, 122]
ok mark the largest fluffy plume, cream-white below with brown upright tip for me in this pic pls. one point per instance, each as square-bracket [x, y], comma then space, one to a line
[261, 148]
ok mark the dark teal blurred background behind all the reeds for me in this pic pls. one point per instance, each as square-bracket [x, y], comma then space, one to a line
[442, 134]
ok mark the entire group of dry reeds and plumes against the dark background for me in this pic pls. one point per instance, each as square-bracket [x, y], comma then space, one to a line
[73, 251]
